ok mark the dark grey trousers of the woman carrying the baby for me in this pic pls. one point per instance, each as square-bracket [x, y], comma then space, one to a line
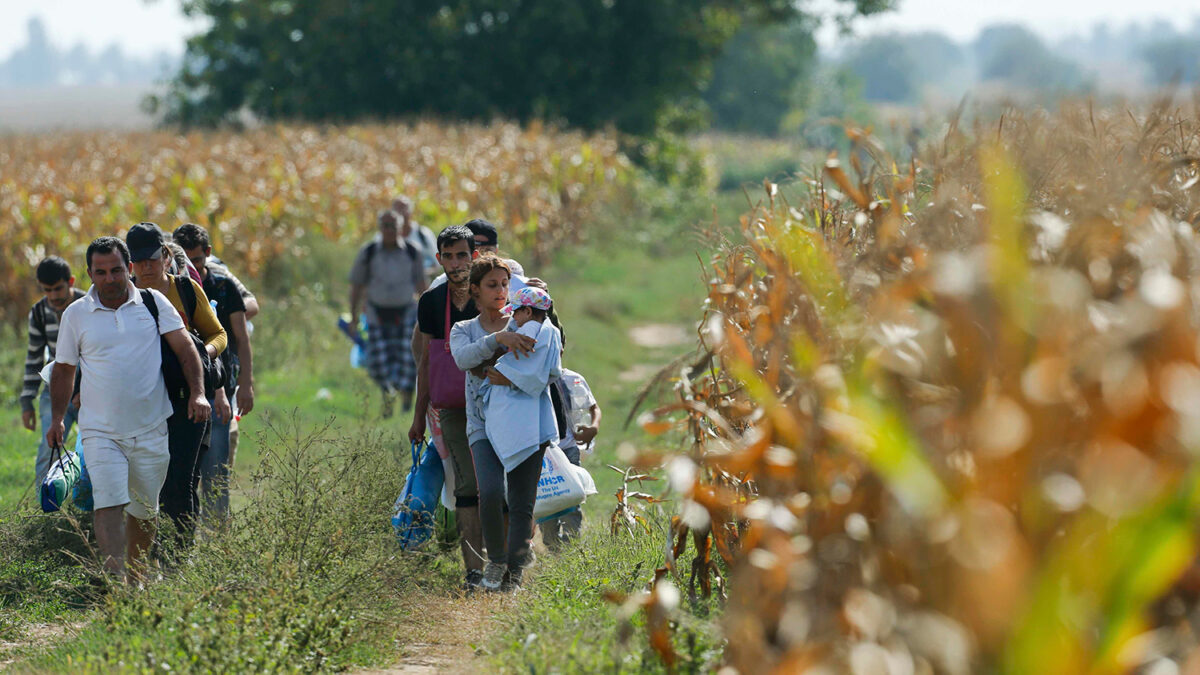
[521, 495]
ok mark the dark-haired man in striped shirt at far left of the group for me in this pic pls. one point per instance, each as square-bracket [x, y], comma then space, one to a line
[57, 283]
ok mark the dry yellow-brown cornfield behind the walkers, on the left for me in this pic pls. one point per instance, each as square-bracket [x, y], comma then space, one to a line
[260, 193]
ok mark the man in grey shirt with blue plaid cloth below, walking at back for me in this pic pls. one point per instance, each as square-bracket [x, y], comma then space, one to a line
[388, 276]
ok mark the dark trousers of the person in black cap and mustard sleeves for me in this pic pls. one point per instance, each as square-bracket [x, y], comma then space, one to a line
[179, 498]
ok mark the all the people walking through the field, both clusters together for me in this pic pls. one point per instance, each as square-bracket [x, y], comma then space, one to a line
[154, 365]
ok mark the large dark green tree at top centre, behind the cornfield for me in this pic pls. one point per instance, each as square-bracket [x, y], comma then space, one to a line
[591, 63]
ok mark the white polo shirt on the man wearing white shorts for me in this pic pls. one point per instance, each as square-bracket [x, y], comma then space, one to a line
[123, 393]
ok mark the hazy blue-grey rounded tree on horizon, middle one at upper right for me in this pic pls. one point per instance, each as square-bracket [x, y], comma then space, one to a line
[1013, 55]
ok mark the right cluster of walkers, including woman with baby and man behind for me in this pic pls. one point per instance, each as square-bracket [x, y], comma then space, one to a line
[489, 389]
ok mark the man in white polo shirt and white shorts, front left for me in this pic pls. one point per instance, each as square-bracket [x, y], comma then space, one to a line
[111, 334]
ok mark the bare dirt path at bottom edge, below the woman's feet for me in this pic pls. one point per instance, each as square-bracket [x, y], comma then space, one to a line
[448, 634]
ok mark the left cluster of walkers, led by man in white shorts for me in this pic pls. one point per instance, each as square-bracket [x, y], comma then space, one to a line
[154, 365]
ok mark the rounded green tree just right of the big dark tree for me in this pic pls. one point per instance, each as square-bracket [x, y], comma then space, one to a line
[759, 77]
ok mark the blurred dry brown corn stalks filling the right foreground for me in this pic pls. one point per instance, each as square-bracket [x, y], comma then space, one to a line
[949, 415]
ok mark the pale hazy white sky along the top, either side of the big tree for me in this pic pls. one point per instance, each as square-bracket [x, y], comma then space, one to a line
[145, 27]
